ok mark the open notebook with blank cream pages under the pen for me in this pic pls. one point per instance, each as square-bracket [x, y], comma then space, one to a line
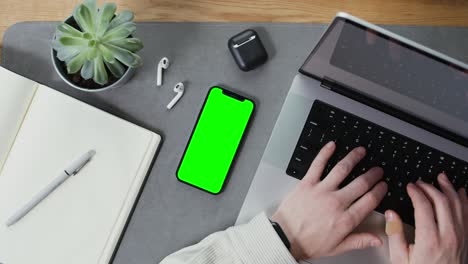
[41, 132]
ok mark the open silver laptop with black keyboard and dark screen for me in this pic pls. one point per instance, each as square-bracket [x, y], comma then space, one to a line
[365, 86]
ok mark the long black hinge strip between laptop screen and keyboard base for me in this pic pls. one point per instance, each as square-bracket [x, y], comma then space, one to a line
[337, 87]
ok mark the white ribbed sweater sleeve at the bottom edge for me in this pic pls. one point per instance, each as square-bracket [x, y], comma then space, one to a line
[253, 243]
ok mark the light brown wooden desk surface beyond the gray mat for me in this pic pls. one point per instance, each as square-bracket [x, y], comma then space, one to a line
[407, 12]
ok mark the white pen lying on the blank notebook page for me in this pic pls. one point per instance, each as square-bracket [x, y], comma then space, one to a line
[71, 170]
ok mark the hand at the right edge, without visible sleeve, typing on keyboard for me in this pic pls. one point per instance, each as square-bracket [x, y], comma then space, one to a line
[441, 221]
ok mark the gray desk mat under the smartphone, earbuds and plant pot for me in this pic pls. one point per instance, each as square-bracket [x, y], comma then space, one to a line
[171, 215]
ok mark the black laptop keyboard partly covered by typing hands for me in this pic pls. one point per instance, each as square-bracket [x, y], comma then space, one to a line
[404, 160]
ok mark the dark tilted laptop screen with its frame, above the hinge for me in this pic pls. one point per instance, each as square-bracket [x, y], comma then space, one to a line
[433, 88]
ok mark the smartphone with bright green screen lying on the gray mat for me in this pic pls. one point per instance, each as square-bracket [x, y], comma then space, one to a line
[211, 149]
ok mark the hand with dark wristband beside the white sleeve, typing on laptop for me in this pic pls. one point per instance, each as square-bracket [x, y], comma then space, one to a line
[318, 218]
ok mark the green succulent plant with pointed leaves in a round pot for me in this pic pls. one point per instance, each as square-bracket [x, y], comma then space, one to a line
[101, 43]
